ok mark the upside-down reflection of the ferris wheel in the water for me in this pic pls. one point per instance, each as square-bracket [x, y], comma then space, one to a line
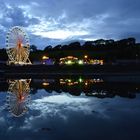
[18, 97]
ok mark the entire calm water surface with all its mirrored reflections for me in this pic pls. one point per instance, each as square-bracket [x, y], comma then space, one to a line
[69, 108]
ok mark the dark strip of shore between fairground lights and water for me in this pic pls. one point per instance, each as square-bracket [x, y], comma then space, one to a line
[40, 71]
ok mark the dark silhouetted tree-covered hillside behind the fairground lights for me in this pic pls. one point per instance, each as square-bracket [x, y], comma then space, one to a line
[108, 50]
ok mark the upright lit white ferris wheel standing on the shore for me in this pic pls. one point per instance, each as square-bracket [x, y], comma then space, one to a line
[17, 46]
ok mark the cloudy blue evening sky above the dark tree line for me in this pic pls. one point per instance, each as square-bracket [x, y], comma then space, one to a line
[51, 22]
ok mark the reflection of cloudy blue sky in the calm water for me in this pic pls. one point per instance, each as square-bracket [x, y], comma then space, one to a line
[62, 116]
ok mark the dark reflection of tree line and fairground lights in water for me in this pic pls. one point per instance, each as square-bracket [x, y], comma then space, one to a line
[95, 87]
